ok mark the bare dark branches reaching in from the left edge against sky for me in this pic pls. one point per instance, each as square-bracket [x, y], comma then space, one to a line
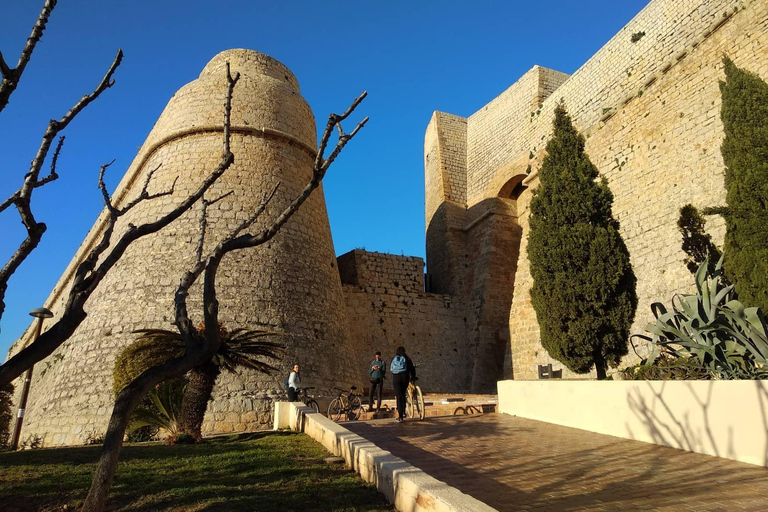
[102, 257]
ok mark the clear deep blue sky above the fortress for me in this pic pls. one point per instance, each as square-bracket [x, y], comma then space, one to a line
[413, 57]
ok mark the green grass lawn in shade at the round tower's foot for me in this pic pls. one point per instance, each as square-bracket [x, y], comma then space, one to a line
[269, 471]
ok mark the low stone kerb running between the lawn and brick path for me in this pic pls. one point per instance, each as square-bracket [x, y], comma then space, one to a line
[409, 488]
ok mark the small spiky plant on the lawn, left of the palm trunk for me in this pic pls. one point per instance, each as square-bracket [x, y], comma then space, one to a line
[163, 414]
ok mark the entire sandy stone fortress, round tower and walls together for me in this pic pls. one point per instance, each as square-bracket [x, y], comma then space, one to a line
[648, 103]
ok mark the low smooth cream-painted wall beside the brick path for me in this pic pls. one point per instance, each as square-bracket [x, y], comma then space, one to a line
[723, 418]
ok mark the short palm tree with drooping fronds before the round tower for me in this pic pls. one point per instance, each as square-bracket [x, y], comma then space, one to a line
[239, 348]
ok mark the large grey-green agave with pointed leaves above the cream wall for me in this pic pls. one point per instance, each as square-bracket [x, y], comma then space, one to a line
[729, 340]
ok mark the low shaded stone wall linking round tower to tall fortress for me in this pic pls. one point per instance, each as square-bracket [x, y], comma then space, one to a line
[383, 316]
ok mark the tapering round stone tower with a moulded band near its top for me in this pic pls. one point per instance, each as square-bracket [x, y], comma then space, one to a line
[290, 285]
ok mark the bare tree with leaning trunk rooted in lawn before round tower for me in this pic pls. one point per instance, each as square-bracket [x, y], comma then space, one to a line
[201, 347]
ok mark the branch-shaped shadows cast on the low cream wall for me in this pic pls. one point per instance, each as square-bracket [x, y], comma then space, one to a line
[670, 428]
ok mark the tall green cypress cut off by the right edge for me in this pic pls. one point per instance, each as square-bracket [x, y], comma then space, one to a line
[745, 153]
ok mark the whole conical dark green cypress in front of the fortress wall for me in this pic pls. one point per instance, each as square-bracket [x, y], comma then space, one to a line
[583, 284]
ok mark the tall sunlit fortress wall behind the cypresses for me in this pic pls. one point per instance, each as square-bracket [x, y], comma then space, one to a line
[650, 110]
